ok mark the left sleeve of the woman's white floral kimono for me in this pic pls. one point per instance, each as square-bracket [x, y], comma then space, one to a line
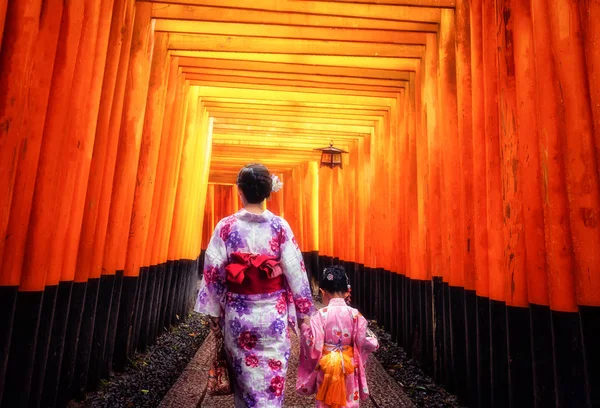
[213, 282]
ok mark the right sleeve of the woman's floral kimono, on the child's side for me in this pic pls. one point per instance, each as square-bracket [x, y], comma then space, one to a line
[294, 270]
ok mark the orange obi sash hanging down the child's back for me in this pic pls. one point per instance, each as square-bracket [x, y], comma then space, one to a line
[336, 362]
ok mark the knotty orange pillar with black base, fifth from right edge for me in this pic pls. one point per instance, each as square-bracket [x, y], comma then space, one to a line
[516, 357]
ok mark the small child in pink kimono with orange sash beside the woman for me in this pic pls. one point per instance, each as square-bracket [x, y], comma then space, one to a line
[335, 346]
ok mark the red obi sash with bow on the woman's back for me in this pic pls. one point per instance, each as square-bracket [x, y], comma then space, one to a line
[252, 274]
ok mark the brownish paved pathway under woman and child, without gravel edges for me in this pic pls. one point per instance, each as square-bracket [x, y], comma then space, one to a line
[190, 389]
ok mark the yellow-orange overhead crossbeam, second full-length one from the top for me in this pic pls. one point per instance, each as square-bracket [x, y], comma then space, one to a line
[409, 34]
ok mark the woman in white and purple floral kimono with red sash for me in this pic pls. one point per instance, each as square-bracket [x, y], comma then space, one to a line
[254, 286]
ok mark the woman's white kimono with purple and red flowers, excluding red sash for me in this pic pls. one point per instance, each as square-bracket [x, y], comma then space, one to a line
[255, 327]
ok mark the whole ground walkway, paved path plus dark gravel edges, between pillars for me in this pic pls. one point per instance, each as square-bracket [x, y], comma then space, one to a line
[172, 374]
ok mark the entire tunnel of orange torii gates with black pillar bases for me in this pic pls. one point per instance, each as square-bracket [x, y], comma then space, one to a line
[467, 211]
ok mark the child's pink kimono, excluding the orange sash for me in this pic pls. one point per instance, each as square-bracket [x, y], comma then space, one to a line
[335, 325]
